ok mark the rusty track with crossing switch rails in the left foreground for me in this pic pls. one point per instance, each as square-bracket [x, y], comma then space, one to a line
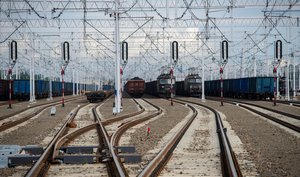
[51, 154]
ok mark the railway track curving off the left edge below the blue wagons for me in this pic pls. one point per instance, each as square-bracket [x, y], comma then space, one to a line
[11, 120]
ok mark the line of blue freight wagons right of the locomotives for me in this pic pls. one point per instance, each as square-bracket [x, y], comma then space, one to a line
[250, 88]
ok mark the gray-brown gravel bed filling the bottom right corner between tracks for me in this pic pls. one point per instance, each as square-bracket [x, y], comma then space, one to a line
[274, 151]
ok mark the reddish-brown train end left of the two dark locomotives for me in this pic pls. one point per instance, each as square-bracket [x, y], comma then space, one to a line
[135, 87]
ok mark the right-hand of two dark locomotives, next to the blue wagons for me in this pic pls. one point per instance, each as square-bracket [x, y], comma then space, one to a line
[191, 86]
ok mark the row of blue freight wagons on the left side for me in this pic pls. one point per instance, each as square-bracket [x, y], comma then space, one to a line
[21, 89]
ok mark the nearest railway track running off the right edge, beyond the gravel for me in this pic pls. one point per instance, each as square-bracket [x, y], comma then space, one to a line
[280, 117]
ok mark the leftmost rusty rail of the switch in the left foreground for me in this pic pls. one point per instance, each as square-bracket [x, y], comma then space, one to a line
[42, 162]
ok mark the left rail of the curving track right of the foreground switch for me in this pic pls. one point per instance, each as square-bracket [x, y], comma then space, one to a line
[159, 161]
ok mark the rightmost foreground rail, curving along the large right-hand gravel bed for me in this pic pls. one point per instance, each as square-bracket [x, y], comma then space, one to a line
[229, 163]
